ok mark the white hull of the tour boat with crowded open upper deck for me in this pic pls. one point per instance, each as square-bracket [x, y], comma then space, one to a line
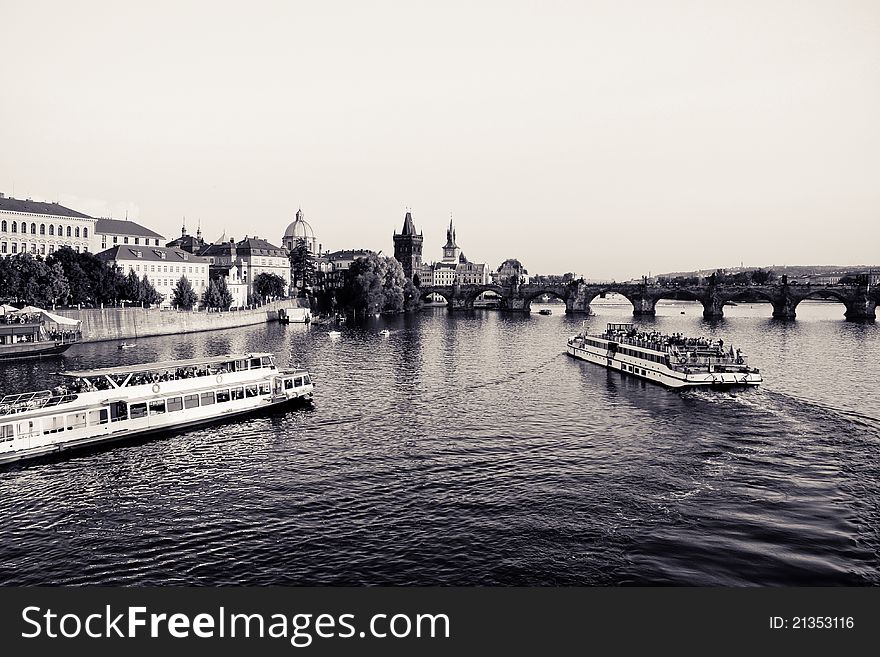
[663, 375]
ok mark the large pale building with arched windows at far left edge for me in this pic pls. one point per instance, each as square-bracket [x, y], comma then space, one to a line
[41, 228]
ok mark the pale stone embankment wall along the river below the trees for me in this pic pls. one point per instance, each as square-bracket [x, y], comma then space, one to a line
[131, 323]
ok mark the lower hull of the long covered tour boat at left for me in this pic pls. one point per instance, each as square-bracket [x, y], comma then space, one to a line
[65, 448]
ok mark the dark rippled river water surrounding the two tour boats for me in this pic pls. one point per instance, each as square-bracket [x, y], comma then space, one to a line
[467, 448]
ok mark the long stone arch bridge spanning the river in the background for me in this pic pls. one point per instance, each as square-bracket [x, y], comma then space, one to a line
[860, 300]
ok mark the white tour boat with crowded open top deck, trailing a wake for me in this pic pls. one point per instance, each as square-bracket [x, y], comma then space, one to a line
[673, 360]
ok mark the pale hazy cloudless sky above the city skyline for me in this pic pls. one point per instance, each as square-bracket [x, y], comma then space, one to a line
[606, 138]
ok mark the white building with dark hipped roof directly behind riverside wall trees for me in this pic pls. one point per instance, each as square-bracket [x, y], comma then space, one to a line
[162, 266]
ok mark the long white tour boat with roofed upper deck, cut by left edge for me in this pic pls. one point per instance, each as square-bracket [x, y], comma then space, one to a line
[104, 405]
